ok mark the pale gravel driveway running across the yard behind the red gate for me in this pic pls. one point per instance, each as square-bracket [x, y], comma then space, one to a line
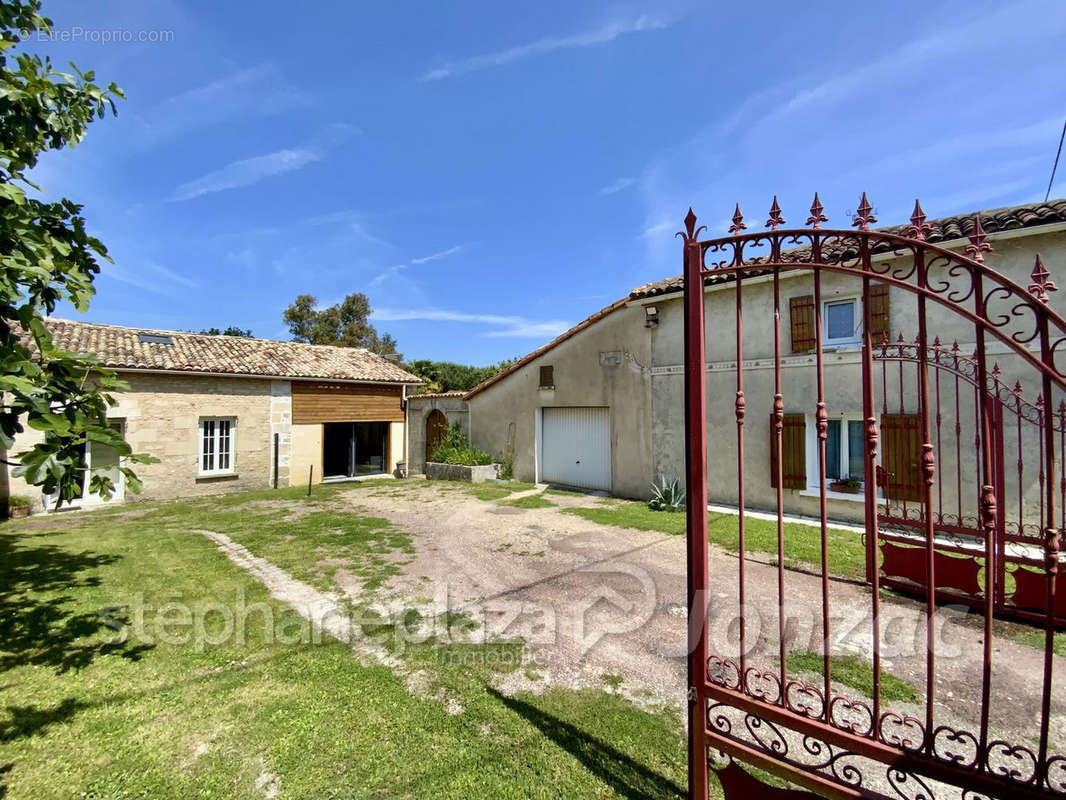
[606, 605]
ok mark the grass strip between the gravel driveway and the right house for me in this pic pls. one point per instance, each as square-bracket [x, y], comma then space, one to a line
[803, 543]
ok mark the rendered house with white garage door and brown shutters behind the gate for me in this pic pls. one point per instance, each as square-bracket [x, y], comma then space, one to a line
[602, 407]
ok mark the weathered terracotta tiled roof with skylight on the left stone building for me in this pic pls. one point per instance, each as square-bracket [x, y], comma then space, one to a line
[120, 348]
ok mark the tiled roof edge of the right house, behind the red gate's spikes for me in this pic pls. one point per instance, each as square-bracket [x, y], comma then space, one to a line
[946, 230]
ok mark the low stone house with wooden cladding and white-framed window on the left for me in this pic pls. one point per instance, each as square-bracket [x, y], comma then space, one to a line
[225, 413]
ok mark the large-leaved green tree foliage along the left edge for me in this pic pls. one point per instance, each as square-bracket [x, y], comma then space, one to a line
[46, 257]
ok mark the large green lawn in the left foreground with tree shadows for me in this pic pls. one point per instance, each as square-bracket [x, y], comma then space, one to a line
[84, 716]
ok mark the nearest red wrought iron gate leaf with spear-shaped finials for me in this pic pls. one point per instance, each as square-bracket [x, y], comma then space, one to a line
[749, 703]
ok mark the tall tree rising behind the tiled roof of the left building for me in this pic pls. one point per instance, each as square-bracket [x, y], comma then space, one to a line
[347, 324]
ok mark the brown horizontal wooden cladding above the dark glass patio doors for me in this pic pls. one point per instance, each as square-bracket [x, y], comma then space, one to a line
[321, 402]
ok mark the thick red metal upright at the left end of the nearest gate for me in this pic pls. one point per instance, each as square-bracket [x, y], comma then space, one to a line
[696, 457]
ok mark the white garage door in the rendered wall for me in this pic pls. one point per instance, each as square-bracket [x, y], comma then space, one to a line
[576, 447]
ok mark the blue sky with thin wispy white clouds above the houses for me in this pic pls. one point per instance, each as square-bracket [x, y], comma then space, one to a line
[490, 175]
